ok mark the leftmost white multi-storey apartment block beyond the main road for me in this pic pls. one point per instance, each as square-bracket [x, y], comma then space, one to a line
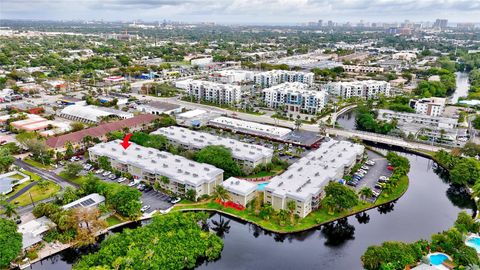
[214, 92]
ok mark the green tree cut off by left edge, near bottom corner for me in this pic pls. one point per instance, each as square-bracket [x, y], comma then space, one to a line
[10, 241]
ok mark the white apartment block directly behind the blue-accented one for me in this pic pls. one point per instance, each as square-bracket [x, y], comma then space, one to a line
[274, 77]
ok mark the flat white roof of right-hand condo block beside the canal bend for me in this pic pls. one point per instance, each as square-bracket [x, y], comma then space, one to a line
[307, 177]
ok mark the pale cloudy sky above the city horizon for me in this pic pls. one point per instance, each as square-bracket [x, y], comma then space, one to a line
[242, 10]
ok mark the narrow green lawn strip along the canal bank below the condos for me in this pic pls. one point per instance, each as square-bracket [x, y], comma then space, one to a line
[314, 219]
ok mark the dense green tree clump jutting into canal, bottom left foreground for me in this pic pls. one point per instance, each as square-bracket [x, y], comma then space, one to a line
[172, 241]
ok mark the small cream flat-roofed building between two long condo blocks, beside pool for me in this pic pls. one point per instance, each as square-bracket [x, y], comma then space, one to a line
[240, 191]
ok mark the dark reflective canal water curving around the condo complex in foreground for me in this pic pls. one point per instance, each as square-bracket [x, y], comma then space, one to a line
[429, 206]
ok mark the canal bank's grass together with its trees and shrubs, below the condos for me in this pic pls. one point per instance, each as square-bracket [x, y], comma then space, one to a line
[340, 201]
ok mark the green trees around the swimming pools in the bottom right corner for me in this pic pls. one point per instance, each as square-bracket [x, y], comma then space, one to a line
[399, 255]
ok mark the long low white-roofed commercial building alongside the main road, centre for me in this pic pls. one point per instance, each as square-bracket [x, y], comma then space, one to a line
[251, 128]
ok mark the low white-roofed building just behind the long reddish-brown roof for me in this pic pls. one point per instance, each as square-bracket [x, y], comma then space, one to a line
[91, 113]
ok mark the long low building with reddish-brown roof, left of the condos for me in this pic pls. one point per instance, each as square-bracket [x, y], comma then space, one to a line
[100, 131]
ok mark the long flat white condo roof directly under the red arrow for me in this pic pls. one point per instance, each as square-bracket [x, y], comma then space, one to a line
[158, 162]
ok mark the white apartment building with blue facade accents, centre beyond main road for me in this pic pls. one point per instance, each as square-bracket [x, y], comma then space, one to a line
[296, 97]
